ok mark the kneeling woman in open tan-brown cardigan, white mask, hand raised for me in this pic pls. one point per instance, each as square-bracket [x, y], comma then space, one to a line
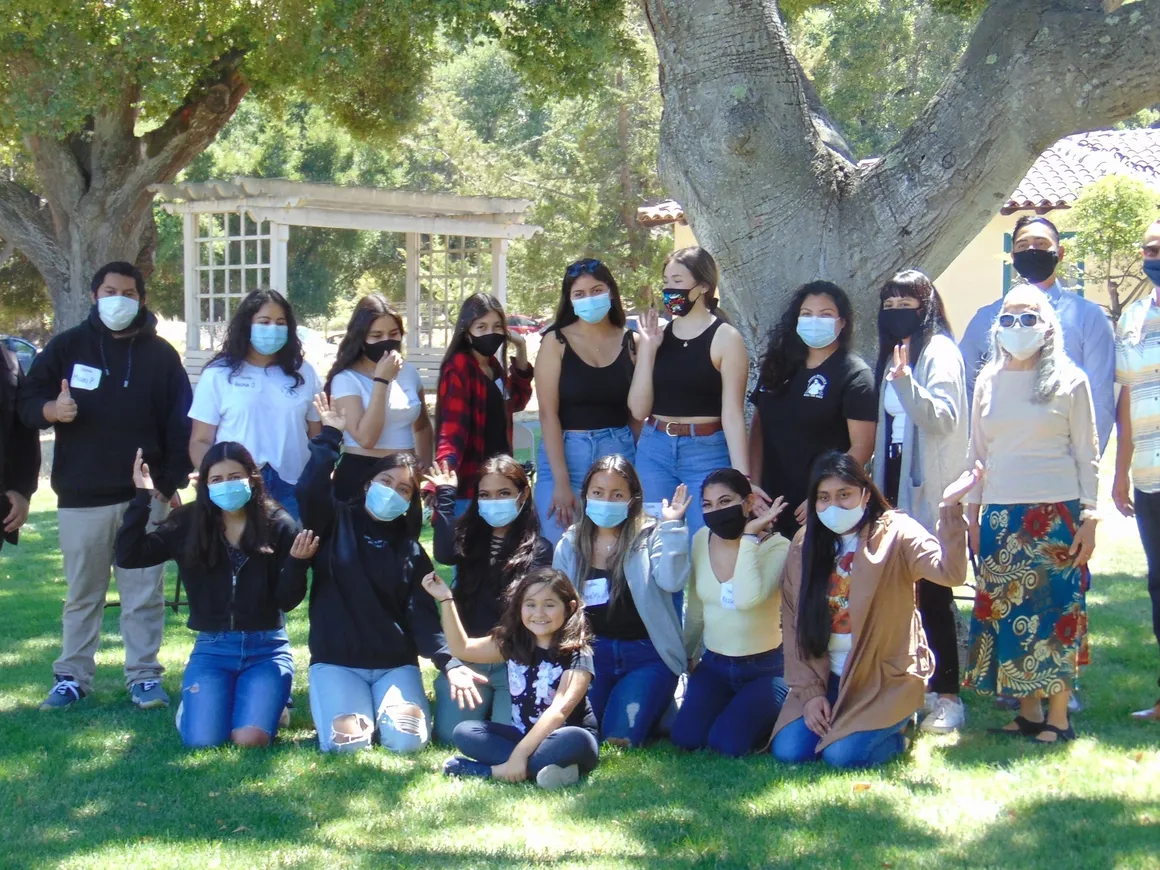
[857, 661]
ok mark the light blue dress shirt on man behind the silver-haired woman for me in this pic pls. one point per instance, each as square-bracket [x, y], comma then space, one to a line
[1089, 340]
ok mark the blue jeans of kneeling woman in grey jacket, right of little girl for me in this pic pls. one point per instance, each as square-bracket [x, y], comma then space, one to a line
[632, 690]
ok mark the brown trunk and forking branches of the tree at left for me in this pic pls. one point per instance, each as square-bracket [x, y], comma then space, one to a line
[95, 205]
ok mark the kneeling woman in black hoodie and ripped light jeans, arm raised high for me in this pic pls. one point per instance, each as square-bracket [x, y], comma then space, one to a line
[369, 619]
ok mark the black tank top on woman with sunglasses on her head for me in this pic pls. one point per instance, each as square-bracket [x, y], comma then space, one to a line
[596, 397]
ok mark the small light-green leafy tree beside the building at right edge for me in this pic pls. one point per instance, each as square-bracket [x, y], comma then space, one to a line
[1110, 220]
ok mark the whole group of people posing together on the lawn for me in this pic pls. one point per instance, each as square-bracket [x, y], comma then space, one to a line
[785, 585]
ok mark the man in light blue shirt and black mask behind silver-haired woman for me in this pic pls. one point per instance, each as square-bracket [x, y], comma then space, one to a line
[1089, 338]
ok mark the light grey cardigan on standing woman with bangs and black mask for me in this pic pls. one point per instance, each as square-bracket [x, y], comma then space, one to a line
[934, 448]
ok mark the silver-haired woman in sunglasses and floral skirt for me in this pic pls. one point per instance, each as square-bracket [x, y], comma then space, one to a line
[1033, 523]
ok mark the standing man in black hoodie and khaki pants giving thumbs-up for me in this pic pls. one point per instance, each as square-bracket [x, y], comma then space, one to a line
[110, 387]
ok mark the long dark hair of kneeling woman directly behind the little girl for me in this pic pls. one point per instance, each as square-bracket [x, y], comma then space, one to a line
[474, 539]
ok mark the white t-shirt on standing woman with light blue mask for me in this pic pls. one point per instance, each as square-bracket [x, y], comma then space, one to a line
[263, 410]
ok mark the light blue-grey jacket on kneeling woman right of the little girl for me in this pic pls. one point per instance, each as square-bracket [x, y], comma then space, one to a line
[657, 568]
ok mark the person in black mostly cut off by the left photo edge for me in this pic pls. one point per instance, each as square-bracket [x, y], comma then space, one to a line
[20, 453]
